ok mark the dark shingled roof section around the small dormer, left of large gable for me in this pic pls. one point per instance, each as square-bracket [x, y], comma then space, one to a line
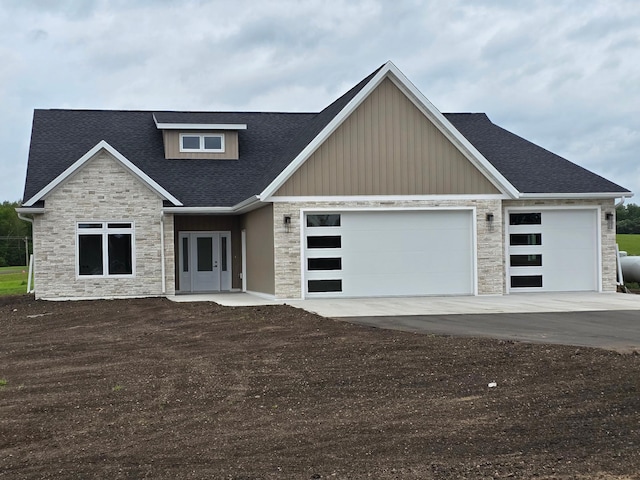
[60, 137]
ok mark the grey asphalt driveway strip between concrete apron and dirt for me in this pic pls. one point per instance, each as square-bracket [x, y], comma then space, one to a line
[616, 330]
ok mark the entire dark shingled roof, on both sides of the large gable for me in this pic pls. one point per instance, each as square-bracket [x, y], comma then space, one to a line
[270, 142]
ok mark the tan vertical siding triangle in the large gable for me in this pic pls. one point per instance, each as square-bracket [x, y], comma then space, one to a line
[387, 146]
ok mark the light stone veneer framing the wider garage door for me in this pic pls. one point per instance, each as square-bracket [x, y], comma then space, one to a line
[490, 250]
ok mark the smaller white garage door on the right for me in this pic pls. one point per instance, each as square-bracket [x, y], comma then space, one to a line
[553, 250]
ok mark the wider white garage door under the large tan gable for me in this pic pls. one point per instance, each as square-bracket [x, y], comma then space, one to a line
[362, 254]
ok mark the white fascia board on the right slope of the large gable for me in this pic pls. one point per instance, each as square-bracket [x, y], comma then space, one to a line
[452, 133]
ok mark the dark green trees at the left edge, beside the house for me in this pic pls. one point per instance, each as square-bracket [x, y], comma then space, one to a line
[13, 232]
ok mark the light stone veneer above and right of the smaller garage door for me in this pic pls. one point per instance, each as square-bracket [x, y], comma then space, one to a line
[608, 236]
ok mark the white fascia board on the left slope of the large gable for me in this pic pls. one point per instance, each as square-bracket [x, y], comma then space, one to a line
[324, 134]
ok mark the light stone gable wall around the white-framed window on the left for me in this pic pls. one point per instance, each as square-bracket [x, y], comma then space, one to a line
[103, 190]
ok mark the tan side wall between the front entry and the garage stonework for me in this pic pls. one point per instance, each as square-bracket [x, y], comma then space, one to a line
[260, 257]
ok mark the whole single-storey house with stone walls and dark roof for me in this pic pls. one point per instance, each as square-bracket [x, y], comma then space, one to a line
[379, 194]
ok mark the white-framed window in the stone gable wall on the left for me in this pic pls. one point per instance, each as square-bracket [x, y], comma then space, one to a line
[105, 249]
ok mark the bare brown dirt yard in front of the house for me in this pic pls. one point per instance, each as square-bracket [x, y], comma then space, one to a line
[154, 389]
